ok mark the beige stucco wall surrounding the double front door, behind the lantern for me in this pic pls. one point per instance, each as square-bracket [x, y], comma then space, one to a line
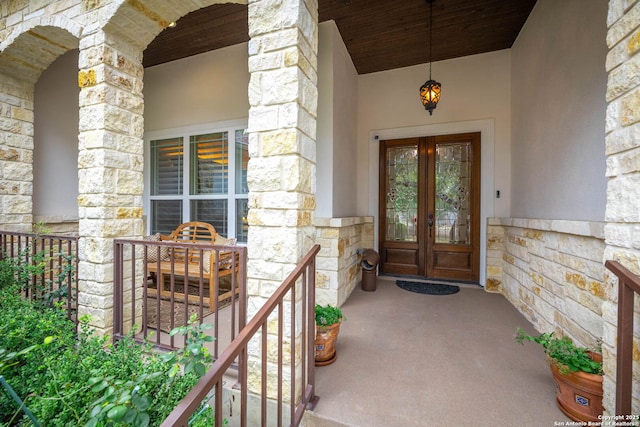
[473, 88]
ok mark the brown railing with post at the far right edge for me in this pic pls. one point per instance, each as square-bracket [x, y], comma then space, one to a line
[628, 286]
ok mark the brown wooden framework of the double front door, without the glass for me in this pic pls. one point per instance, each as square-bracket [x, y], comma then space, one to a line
[418, 258]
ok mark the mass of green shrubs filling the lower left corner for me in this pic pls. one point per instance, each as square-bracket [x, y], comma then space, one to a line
[86, 381]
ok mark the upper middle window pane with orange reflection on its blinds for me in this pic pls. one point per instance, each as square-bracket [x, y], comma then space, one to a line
[209, 163]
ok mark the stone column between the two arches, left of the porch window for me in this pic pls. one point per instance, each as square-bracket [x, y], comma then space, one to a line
[110, 166]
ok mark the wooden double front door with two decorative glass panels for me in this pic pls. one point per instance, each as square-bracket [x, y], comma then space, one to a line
[429, 207]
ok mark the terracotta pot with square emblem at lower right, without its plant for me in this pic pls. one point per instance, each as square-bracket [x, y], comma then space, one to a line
[579, 395]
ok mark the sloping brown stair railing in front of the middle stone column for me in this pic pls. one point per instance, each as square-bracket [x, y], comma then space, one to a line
[285, 300]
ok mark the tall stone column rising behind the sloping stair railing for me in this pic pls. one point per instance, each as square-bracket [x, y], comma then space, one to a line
[282, 132]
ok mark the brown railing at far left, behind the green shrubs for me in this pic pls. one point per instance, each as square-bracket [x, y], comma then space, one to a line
[46, 267]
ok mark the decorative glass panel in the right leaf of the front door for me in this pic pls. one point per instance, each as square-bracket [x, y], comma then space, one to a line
[453, 180]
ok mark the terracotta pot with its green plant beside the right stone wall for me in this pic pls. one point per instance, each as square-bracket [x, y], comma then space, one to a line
[577, 372]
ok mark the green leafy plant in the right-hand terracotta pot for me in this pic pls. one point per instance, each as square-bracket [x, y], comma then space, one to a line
[564, 353]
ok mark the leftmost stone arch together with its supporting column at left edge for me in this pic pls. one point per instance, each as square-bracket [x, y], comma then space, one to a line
[23, 58]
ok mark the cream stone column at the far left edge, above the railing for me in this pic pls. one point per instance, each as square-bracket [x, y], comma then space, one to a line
[16, 154]
